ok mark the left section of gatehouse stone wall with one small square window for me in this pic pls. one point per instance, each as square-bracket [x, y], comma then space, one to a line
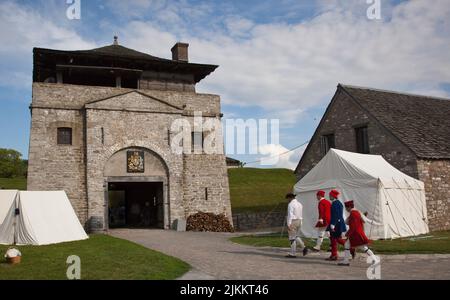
[58, 167]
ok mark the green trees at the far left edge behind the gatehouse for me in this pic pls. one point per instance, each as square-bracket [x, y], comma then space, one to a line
[11, 164]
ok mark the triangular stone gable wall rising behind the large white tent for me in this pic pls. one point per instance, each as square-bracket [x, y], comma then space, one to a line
[343, 116]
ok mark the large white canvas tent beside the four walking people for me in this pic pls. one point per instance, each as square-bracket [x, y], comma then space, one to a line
[390, 197]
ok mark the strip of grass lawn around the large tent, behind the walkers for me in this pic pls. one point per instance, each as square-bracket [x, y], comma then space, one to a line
[434, 242]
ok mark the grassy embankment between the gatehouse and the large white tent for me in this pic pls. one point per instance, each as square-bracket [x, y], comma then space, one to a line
[255, 190]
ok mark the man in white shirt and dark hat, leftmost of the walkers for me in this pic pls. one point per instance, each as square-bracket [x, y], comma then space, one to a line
[294, 223]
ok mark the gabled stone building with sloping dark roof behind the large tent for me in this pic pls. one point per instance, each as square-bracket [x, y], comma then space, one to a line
[411, 132]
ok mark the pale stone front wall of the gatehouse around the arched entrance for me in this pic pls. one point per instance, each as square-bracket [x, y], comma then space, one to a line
[106, 120]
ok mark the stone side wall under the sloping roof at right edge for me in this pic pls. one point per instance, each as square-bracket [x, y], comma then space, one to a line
[436, 176]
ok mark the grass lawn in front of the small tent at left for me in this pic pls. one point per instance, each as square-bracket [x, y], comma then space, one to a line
[102, 257]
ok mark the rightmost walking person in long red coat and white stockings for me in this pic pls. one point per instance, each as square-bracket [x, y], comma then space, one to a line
[356, 237]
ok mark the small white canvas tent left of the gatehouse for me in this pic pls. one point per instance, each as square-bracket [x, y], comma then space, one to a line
[43, 218]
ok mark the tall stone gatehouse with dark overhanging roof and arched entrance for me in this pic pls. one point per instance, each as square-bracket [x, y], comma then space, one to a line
[101, 131]
